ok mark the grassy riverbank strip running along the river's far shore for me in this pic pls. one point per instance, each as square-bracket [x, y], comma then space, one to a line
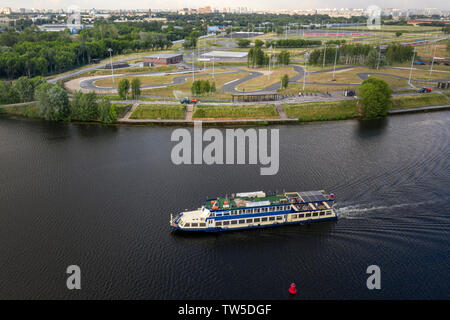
[264, 114]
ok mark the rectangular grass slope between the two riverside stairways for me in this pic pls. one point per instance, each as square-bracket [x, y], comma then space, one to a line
[251, 111]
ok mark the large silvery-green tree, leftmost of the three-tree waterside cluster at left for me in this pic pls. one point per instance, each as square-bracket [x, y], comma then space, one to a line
[52, 101]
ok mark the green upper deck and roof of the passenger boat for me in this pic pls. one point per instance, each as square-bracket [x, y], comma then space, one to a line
[259, 198]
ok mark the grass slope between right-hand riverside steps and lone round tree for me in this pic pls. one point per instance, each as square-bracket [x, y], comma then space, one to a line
[324, 110]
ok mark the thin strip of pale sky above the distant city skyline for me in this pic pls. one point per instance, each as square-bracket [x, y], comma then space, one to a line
[254, 4]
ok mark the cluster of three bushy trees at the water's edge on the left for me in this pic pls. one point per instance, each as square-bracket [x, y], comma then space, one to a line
[53, 104]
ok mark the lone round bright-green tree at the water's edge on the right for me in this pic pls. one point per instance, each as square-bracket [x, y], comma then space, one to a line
[375, 97]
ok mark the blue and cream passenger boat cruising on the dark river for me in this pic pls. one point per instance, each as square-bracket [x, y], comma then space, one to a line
[257, 210]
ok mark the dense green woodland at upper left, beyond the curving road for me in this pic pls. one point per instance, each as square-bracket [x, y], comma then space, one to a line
[33, 52]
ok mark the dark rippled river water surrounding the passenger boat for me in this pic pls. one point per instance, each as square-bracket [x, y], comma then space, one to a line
[100, 197]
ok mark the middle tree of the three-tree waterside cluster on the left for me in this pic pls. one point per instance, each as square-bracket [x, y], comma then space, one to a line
[84, 106]
